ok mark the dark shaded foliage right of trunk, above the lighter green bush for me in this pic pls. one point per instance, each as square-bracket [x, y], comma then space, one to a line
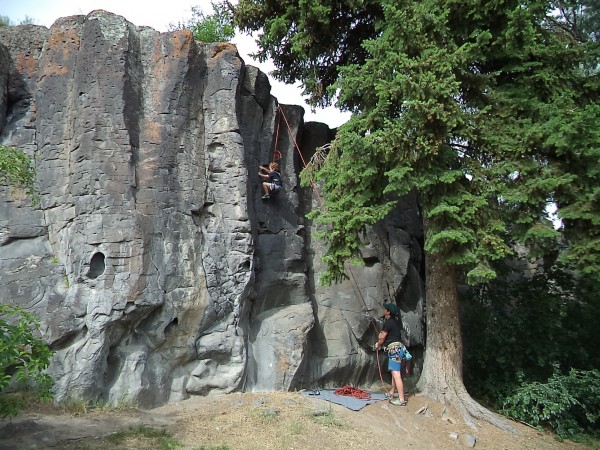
[516, 330]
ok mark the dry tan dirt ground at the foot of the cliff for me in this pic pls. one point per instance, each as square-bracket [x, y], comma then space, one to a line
[280, 420]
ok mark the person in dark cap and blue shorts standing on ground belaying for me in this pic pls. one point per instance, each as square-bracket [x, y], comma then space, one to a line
[389, 339]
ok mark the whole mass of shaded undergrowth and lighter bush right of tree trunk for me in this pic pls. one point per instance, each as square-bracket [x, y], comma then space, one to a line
[523, 339]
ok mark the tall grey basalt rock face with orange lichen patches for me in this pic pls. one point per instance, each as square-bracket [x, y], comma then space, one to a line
[155, 267]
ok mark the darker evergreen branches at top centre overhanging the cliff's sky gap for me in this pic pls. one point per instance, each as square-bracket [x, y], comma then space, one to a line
[308, 41]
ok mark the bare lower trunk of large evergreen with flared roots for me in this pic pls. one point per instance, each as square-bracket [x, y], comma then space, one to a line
[442, 377]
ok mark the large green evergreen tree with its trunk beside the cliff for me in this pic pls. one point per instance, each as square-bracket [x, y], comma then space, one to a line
[488, 109]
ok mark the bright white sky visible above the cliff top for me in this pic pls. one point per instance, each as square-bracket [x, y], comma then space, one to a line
[158, 15]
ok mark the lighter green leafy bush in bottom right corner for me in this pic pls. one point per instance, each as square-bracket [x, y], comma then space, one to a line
[568, 404]
